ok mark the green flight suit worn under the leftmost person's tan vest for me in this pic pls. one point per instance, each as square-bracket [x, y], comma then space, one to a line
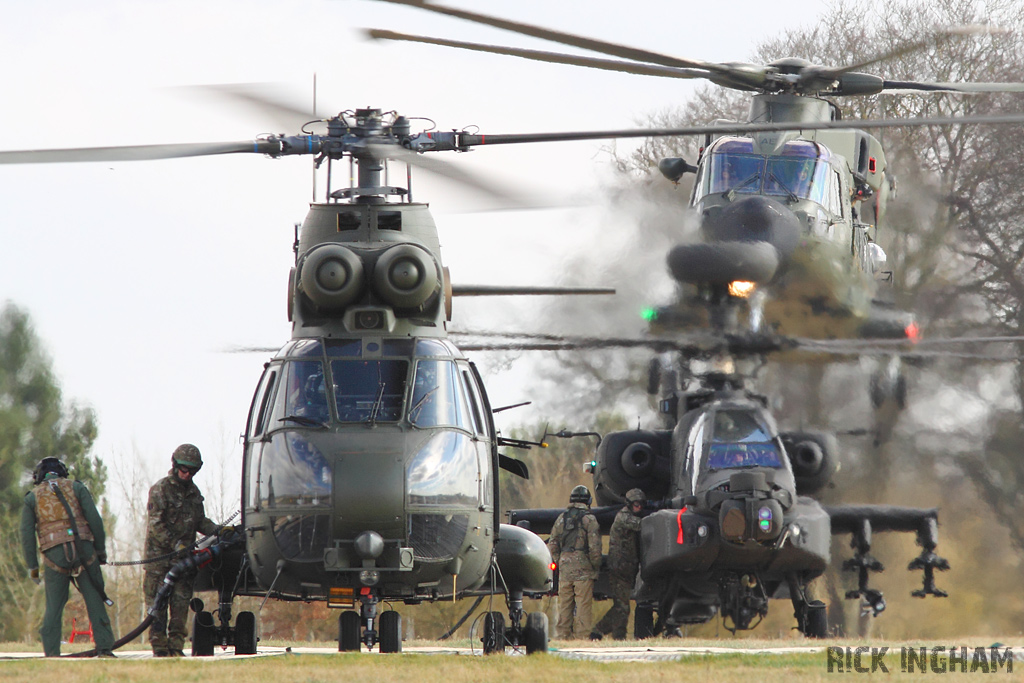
[65, 557]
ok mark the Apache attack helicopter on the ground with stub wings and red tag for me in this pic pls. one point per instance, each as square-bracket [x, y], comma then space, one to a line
[732, 523]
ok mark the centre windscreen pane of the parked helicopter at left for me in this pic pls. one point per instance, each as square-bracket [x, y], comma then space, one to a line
[369, 391]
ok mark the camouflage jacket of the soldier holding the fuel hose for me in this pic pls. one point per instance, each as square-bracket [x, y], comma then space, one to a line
[176, 515]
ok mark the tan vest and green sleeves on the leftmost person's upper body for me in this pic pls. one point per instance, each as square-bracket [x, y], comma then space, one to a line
[81, 503]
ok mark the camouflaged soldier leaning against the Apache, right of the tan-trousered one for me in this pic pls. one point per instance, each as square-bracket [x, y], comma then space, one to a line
[624, 562]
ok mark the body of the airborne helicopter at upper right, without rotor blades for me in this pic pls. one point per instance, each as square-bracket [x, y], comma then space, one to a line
[794, 215]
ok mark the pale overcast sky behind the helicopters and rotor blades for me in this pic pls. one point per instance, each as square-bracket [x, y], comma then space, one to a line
[139, 276]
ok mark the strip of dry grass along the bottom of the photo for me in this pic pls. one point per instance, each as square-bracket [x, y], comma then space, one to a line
[417, 668]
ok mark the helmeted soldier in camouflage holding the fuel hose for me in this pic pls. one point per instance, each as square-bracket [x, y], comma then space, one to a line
[176, 515]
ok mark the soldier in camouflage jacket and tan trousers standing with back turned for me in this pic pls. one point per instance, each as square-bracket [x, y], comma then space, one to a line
[576, 547]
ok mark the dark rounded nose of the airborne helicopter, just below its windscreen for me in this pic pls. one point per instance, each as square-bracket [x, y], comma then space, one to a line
[756, 219]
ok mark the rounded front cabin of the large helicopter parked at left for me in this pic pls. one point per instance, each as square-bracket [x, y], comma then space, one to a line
[369, 463]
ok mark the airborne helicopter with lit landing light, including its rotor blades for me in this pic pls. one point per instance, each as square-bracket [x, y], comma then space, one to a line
[789, 203]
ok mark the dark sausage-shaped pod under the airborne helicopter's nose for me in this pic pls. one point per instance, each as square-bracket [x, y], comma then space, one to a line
[723, 263]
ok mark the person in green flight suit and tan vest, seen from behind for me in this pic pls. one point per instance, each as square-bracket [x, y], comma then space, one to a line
[73, 543]
